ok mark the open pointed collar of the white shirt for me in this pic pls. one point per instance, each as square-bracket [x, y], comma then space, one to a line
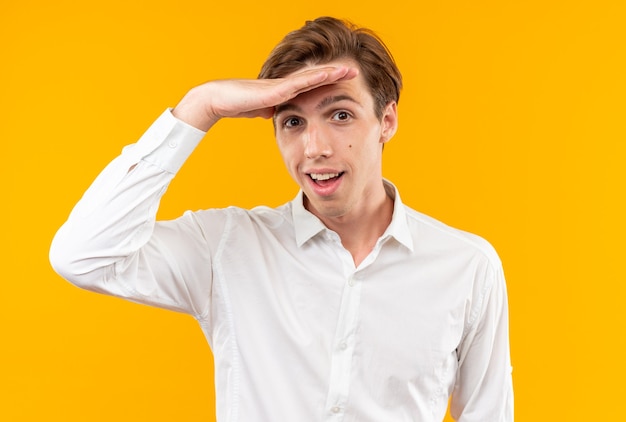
[307, 225]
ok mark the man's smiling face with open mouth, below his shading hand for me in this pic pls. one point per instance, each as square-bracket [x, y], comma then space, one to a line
[331, 142]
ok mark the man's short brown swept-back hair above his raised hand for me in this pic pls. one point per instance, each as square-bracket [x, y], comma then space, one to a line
[326, 39]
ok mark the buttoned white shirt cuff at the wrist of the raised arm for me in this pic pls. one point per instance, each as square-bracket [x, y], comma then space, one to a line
[167, 143]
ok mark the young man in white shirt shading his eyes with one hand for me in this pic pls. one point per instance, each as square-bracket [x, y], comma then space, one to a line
[343, 304]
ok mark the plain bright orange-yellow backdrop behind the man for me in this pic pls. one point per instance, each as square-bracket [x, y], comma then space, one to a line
[511, 126]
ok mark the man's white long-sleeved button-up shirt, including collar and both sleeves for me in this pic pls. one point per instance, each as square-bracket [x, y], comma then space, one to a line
[299, 333]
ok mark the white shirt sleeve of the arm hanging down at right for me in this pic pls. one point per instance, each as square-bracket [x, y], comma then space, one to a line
[484, 388]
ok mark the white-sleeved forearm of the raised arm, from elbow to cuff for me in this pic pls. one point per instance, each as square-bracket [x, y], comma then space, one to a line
[116, 215]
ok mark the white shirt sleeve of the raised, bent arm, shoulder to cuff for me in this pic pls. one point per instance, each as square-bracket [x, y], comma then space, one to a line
[111, 242]
